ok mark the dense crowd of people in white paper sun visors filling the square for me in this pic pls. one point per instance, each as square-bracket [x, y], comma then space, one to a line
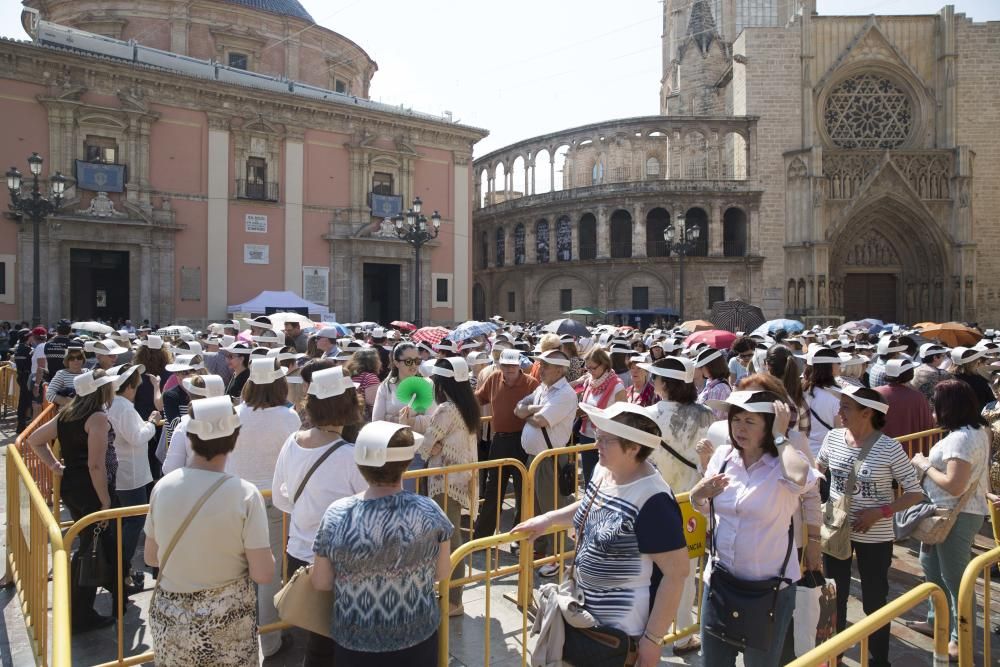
[769, 436]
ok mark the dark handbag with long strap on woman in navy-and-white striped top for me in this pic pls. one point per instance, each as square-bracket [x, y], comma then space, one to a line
[588, 644]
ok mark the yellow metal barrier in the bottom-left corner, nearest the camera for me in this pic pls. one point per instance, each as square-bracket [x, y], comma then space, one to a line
[28, 564]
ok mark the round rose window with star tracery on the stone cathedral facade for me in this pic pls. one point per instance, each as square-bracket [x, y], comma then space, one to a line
[868, 111]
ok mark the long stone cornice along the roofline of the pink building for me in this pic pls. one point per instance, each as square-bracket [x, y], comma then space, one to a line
[30, 63]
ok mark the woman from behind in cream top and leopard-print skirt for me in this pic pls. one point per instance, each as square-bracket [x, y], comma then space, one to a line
[212, 529]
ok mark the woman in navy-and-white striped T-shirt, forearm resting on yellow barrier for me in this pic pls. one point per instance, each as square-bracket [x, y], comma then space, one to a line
[628, 511]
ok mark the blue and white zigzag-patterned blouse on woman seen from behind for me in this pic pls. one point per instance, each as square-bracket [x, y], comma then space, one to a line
[384, 554]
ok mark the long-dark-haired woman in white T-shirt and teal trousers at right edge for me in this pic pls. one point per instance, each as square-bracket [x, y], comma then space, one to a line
[955, 476]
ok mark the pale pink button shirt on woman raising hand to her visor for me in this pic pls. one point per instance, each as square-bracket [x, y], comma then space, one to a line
[753, 515]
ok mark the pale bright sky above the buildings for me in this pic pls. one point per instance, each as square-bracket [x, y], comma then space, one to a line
[524, 67]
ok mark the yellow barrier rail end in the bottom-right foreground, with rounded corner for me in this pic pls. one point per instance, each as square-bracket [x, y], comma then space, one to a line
[859, 632]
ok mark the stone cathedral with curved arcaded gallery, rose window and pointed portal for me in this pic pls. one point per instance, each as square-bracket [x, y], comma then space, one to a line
[835, 167]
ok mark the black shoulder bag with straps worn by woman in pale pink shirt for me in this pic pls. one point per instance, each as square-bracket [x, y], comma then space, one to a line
[738, 611]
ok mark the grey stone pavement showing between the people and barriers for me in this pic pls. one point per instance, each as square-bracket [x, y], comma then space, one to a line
[468, 637]
